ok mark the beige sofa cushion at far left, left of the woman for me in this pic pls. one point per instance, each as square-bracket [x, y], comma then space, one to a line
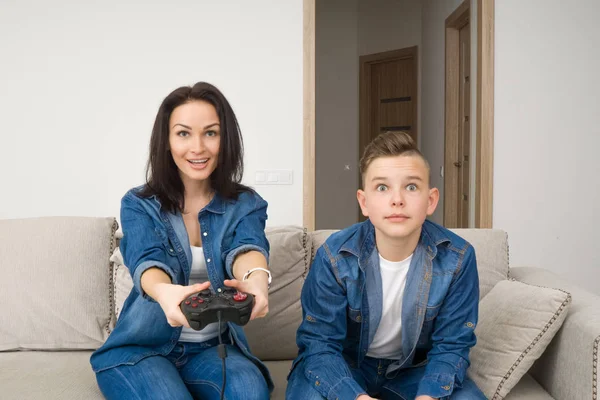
[59, 291]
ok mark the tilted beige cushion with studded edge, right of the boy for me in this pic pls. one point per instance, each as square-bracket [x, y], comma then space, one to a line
[517, 321]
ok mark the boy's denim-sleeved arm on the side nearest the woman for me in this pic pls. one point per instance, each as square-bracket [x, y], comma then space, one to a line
[323, 330]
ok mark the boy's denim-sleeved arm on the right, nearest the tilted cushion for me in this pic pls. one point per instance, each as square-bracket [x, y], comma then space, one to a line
[453, 332]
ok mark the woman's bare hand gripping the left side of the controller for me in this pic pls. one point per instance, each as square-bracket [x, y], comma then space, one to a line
[170, 296]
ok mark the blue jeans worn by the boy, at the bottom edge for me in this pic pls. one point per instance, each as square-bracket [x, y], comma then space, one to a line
[371, 377]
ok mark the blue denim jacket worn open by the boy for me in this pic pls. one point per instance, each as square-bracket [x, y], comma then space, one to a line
[342, 305]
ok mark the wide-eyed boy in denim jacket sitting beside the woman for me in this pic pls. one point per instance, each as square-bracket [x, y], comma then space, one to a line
[390, 304]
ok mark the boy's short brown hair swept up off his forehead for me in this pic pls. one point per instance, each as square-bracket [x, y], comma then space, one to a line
[389, 144]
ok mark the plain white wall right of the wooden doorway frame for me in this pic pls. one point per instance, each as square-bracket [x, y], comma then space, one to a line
[547, 135]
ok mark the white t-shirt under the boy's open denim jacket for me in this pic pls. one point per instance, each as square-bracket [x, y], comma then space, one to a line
[387, 342]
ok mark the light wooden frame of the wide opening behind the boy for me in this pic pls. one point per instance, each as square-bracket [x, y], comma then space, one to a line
[484, 125]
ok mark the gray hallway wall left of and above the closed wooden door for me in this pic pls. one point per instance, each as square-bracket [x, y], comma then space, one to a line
[345, 30]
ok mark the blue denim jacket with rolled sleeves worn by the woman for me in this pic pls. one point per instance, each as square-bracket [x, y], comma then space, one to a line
[153, 237]
